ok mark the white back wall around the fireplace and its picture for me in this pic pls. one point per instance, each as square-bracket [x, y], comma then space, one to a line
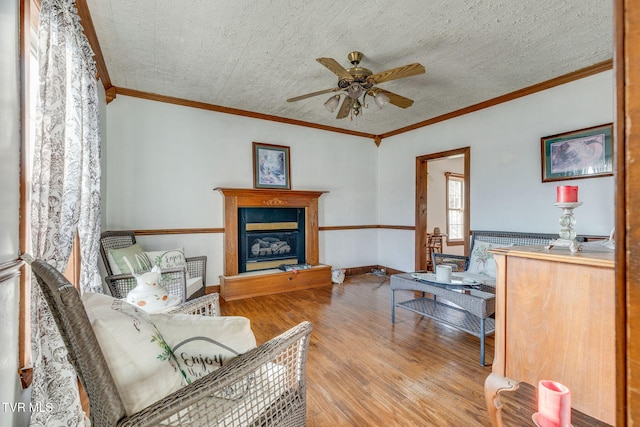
[164, 161]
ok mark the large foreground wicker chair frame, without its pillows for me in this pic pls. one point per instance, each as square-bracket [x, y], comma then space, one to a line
[194, 404]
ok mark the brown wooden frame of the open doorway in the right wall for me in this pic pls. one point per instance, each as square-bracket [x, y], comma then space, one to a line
[422, 200]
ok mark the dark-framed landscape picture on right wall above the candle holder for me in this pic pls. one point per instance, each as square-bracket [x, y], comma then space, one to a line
[583, 153]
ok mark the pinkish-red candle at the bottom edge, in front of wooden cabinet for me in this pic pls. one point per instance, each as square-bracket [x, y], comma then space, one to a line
[554, 404]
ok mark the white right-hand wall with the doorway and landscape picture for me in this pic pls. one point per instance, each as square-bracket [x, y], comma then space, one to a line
[506, 188]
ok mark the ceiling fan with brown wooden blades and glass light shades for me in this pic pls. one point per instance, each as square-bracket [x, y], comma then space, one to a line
[357, 82]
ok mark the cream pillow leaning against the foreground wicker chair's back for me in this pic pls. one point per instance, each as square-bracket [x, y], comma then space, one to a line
[140, 361]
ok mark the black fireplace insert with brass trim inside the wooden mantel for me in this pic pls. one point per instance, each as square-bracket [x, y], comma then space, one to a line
[270, 237]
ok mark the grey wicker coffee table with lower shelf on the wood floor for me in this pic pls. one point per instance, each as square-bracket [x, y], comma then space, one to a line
[473, 302]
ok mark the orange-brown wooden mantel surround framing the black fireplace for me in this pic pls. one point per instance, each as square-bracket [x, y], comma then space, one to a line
[235, 198]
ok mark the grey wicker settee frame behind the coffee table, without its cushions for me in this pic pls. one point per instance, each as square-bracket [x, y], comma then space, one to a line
[461, 262]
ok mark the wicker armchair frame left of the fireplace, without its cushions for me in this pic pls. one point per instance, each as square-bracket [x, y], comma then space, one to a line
[174, 280]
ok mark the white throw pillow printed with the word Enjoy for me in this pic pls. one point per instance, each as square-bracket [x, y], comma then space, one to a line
[202, 344]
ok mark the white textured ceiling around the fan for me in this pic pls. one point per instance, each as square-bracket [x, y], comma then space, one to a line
[254, 55]
